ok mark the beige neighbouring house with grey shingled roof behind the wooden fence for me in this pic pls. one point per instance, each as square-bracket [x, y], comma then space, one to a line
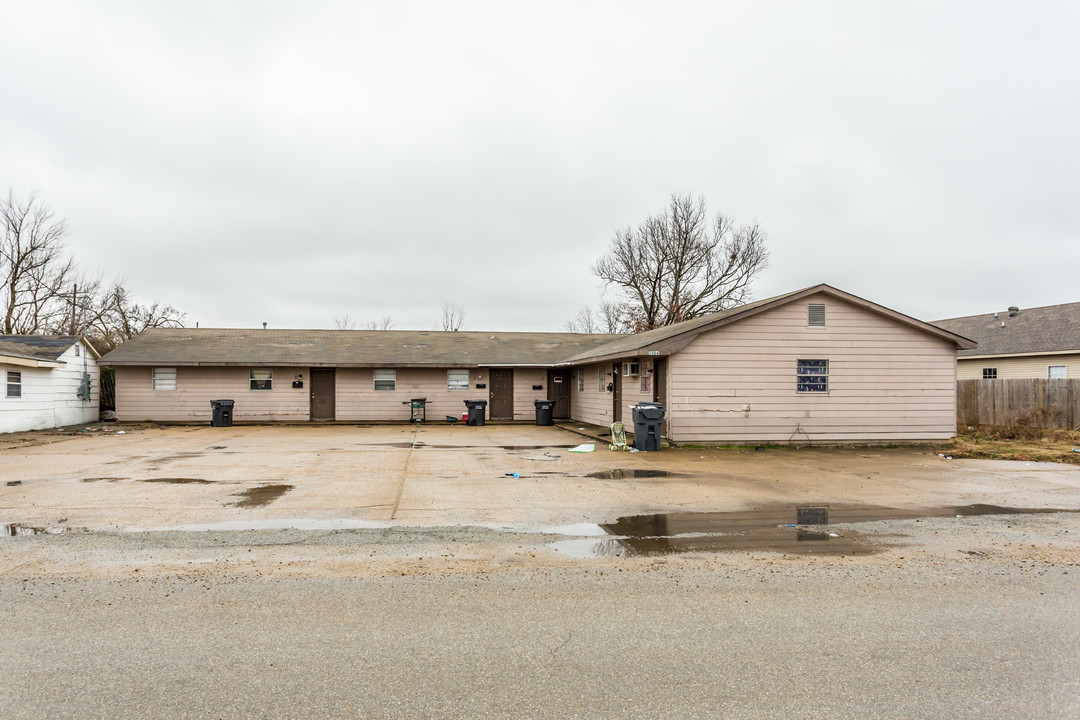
[1030, 343]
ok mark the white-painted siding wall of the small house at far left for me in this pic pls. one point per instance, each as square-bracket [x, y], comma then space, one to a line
[50, 396]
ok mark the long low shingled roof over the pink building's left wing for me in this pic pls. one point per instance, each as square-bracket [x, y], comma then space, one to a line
[349, 348]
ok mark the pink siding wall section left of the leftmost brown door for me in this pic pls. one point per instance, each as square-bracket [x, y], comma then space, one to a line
[196, 387]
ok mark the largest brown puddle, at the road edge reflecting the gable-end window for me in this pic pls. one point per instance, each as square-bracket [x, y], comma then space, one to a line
[767, 529]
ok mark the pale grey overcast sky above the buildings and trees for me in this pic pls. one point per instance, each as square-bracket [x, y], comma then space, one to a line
[289, 164]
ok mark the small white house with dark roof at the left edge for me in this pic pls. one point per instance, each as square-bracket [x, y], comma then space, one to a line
[47, 382]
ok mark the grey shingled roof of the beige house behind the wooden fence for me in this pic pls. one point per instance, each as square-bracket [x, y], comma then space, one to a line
[1048, 330]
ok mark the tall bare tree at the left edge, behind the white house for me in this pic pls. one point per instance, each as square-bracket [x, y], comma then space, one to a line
[35, 269]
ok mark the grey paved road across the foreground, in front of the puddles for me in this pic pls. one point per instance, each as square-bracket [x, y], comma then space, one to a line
[971, 639]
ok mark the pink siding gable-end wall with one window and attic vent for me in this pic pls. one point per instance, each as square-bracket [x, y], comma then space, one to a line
[888, 382]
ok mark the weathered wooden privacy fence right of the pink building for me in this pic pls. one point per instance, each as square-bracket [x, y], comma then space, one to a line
[1020, 402]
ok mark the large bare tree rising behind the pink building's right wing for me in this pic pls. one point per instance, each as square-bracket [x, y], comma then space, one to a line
[678, 265]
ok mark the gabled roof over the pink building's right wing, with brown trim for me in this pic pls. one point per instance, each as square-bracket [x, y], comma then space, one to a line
[672, 338]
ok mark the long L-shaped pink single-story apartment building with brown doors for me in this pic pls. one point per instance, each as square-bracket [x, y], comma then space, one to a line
[818, 364]
